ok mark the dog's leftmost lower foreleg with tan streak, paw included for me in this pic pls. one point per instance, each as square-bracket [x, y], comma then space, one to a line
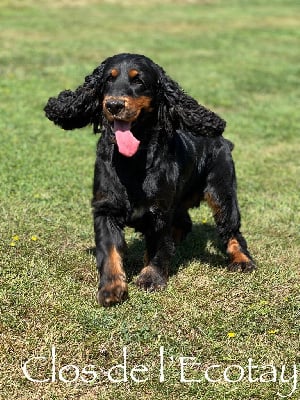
[110, 245]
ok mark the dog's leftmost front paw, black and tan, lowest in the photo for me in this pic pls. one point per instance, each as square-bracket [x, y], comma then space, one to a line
[112, 292]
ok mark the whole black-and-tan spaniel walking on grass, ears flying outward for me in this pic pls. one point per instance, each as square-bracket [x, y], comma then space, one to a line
[160, 153]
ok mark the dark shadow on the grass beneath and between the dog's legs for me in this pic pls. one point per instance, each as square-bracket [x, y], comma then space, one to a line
[194, 247]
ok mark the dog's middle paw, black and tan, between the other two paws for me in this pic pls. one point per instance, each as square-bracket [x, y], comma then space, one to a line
[151, 279]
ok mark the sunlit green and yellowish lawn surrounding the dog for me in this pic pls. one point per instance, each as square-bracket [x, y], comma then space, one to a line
[241, 59]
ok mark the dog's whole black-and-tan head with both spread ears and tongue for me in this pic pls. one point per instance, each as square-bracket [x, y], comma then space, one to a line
[125, 92]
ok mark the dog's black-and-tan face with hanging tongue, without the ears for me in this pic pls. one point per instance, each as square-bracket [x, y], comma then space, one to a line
[129, 96]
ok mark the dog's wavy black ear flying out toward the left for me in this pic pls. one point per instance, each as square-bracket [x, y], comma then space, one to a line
[76, 109]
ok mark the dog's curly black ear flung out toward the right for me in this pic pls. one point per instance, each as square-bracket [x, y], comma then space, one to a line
[177, 110]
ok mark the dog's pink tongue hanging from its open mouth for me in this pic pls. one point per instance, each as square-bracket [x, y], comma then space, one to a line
[127, 143]
